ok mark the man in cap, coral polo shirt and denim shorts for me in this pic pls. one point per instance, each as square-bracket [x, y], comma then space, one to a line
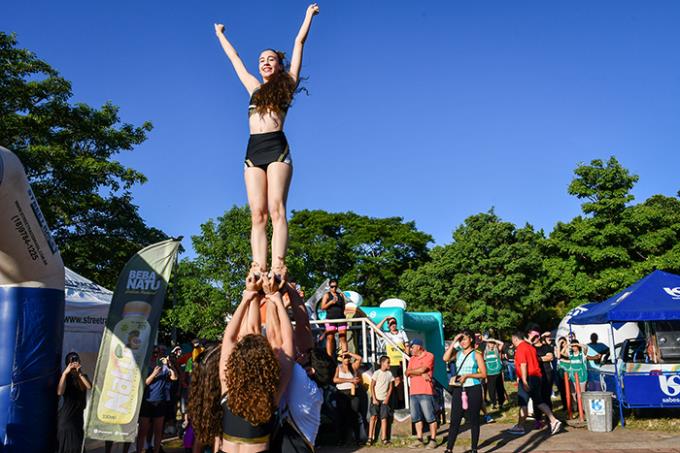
[420, 371]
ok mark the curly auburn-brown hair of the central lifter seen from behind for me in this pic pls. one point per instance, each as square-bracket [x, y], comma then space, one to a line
[252, 374]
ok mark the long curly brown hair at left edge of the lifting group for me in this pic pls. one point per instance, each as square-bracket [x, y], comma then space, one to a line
[204, 397]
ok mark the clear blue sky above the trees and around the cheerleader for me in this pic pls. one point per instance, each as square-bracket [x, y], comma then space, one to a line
[429, 110]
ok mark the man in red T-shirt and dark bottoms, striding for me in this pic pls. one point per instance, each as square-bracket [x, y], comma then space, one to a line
[529, 382]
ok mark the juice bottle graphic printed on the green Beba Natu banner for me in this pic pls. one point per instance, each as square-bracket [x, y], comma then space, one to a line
[120, 392]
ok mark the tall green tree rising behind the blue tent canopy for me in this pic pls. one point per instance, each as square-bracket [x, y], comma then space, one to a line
[613, 244]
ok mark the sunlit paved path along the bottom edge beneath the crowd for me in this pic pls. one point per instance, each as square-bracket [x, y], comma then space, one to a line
[494, 439]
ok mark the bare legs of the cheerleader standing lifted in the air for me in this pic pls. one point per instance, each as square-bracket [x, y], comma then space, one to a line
[267, 196]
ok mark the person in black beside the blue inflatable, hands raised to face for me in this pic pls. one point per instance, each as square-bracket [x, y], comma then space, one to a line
[73, 386]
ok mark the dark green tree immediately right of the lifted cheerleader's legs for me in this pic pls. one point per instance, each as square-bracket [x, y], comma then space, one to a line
[366, 254]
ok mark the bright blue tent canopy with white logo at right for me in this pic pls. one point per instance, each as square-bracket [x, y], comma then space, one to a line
[655, 297]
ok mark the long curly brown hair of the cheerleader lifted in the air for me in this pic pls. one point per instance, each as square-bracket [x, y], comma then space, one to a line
[277, 93]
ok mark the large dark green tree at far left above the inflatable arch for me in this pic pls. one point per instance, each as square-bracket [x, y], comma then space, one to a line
[68, 150]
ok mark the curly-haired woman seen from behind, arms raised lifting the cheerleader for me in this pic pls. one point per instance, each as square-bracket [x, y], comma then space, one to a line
[252, 374]
